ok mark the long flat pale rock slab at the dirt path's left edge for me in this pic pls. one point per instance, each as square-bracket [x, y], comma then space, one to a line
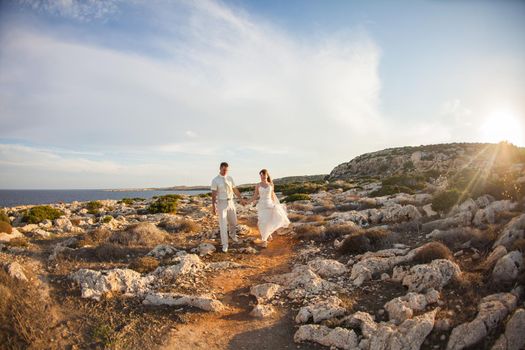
[203, 302]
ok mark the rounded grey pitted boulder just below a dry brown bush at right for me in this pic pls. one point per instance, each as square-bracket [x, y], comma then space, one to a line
[434, 275]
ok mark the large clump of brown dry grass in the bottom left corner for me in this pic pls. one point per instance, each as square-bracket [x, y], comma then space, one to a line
[24, 316]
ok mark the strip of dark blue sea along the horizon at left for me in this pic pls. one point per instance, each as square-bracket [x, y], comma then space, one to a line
[11, 198]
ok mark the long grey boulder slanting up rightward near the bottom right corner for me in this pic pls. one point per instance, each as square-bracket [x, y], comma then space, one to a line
[491, 311]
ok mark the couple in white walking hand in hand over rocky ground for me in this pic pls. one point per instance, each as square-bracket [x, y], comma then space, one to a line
[271, 215]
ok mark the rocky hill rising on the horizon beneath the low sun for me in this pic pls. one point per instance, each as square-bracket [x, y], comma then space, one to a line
[440, 158]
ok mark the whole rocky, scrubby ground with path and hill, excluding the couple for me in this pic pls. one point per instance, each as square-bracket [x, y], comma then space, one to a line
[428, 256]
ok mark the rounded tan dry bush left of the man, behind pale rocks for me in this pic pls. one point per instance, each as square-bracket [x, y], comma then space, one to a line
[142, 234]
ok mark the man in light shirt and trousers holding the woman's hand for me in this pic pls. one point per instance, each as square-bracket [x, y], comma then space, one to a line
[222, 190]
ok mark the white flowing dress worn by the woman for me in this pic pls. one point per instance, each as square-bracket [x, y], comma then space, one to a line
[271, 215]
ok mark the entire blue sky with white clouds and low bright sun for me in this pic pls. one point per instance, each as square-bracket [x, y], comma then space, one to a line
[127, 94]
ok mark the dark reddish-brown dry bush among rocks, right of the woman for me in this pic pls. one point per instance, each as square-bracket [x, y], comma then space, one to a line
[363, 241]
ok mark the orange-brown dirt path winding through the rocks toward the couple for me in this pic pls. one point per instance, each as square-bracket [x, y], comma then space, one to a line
[235, 328]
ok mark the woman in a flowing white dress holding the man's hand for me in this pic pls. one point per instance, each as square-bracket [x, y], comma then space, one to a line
[271, 214]
